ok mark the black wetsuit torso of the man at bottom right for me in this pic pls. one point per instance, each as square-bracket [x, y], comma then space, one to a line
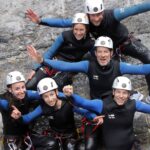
[118, 121]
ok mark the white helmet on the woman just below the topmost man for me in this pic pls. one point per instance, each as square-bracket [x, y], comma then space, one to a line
[80, 18]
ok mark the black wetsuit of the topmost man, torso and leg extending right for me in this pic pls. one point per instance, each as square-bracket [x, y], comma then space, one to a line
[127, 43]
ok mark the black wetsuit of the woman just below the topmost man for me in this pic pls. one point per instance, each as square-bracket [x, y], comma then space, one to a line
[71, 50]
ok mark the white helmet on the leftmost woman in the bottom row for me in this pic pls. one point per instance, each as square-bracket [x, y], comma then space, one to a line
[14, 77]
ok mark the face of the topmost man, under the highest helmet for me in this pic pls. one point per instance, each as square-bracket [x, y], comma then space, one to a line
[96, 19]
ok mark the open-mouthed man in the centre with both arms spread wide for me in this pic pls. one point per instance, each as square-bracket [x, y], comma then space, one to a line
[100, 71]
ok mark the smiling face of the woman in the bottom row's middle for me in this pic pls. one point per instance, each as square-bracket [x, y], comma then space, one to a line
[50, 98]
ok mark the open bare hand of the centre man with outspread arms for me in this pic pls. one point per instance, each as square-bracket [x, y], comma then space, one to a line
[36, 56]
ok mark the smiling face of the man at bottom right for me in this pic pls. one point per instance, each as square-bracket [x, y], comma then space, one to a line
[121, 96]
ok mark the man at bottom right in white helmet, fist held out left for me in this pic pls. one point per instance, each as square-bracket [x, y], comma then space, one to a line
[118, 111]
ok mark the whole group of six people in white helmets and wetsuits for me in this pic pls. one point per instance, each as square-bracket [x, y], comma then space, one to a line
[91, 47]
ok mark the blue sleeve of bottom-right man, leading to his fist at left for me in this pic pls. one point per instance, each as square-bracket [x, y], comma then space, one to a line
[95, 105]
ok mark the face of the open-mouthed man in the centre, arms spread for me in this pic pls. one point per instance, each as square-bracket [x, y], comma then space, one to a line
[103, 55]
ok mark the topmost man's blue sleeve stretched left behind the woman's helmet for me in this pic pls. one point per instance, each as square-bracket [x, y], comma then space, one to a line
[57, 22]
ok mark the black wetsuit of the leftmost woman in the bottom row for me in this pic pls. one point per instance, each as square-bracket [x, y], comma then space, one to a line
[12, 130]
